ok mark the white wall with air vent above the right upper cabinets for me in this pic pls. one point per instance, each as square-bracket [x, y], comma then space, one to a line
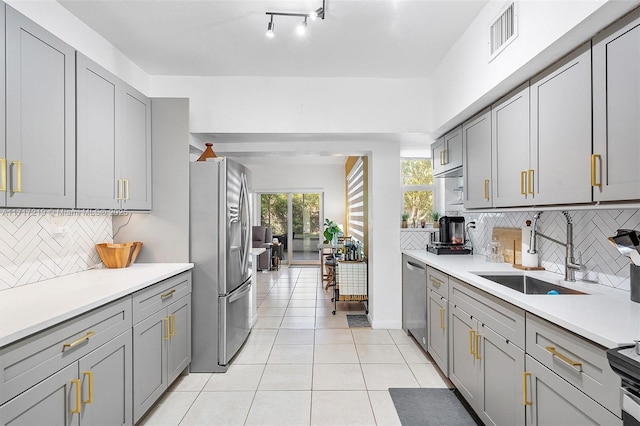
[465, 81]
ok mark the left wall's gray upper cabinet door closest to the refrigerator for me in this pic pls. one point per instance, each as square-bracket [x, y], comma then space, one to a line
[134, 149]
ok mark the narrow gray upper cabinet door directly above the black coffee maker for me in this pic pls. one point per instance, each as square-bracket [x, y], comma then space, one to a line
[476, 146]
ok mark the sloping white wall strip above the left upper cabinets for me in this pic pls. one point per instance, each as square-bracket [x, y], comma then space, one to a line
[50, 15]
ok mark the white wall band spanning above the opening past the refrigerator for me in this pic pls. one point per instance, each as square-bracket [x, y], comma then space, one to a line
[300, 105]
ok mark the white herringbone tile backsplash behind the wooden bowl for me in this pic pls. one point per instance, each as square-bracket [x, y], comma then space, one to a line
[37, 245]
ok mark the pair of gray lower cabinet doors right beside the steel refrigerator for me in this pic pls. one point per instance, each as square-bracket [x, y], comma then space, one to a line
[162, 343]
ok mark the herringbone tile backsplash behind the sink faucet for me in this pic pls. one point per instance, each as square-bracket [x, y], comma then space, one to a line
[604, 264]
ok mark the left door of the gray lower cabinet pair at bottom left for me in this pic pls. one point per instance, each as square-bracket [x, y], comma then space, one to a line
[50, 402]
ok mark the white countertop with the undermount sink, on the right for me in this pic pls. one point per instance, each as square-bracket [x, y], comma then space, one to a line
[605, 315]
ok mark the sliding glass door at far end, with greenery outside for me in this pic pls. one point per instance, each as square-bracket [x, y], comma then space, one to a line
[294, 219]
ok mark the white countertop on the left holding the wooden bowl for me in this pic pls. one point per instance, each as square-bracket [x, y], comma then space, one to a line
[31, 308]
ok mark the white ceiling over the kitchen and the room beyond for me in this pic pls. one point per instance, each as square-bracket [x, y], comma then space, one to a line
[373, 38]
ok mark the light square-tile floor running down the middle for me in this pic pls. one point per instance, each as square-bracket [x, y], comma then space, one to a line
[301, 365]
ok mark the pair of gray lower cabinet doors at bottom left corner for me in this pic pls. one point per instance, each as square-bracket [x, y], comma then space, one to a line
[95, 390]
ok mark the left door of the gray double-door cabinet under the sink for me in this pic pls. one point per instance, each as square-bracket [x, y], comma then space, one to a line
[463, 366]
